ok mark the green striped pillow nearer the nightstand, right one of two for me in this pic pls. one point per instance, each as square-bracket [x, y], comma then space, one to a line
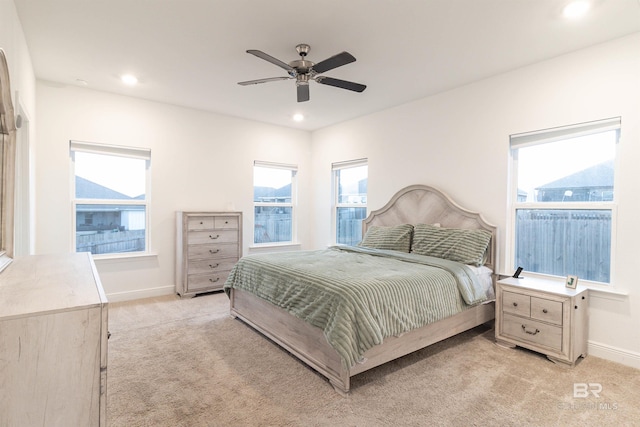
[455, 244]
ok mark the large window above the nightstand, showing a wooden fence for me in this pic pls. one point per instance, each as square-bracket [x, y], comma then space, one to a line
[563, 199]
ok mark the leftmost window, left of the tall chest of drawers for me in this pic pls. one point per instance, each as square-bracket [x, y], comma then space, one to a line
[111, 197]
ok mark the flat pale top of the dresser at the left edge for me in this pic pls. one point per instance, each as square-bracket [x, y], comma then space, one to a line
[48, 283]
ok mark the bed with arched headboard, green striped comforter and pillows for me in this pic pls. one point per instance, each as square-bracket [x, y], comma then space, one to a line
[277, 305]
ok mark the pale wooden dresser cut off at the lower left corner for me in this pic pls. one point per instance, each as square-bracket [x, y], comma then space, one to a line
[53, 342]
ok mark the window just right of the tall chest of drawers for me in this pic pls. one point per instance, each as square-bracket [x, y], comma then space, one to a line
[274, 201]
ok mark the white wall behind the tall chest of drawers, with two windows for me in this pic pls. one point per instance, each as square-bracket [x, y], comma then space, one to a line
[200, 161]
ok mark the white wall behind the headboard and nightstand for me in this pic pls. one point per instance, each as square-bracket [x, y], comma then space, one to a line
[458, 141]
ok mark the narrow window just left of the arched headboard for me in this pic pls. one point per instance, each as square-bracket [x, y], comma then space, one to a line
[350, 200]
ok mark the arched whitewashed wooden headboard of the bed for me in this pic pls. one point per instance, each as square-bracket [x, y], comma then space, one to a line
[422, 204]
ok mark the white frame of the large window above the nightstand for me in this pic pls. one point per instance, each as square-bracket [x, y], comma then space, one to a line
[551, 135]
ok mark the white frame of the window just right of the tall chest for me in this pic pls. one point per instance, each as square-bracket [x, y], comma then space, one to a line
[291, 205]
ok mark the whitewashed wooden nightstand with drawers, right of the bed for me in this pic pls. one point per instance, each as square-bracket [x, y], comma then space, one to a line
[543, 316]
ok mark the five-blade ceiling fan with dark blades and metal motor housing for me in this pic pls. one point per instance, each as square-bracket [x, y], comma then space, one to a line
[303, 71]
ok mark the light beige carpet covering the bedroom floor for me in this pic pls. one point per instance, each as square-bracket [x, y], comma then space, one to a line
[186, 362]
